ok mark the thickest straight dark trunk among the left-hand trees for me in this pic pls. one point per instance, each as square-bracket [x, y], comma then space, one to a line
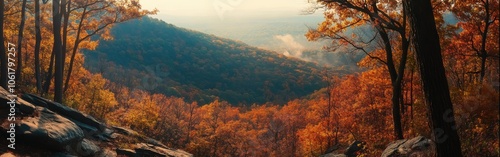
[58, 50]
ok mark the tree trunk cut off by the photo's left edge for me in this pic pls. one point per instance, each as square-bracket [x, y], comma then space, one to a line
[3, 53]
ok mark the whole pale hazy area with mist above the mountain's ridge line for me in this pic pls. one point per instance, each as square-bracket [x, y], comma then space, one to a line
[277, 25]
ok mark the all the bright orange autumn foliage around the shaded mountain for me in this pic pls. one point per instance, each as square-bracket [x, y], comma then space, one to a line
[358, 109]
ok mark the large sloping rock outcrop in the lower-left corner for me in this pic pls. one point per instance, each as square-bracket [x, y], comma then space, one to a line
[47, 128]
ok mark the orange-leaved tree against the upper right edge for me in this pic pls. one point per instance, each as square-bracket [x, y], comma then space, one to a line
[479, 23]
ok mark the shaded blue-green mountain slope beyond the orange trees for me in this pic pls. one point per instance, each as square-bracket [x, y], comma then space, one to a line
[153, 55]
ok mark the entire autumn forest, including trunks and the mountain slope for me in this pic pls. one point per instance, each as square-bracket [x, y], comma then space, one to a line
[417, 73]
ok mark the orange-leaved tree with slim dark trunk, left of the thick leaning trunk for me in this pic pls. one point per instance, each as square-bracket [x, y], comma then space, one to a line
[343, 15]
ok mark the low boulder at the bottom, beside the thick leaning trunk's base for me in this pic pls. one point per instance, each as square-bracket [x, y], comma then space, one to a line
[418, 146]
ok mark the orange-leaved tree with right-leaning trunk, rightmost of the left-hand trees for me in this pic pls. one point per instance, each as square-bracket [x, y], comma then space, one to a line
[108, 13]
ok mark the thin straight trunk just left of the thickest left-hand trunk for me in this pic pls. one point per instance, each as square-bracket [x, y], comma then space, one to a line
[37, 47]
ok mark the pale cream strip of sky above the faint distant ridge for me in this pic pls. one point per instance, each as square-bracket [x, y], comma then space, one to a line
[226, 9]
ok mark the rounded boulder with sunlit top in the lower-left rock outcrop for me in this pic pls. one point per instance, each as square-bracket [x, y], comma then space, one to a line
[55, 131]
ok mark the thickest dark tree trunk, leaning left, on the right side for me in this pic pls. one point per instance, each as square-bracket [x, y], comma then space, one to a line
[437, 94]
